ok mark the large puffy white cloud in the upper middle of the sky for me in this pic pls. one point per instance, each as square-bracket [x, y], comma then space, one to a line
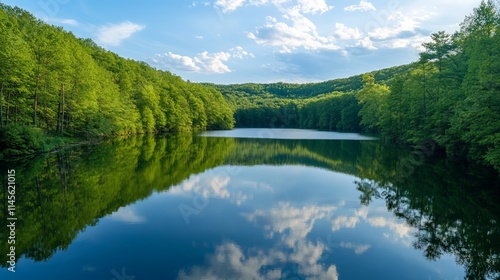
[301, 33]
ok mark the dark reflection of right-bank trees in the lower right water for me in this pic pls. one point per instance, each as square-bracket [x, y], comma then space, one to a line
[451, 213]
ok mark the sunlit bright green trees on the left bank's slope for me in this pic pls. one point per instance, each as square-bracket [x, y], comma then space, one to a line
[58, 84]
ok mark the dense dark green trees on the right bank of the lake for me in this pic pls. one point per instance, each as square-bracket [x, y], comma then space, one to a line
[451, 97]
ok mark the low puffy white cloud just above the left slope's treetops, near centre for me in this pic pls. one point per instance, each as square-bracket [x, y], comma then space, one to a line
[204, 62]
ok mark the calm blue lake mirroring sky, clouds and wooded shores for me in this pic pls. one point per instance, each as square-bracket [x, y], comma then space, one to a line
[251, 204]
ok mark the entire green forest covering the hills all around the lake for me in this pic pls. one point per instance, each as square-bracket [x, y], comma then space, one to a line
[54, 84]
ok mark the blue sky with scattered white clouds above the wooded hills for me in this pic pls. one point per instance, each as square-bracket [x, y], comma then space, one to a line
[261, 41]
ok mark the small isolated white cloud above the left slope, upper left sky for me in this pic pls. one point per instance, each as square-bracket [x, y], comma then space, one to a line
[114, 34]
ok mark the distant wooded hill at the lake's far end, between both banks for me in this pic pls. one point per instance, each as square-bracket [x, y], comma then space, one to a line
[329, 105]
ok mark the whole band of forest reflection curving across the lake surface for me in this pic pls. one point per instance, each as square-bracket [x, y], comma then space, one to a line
[454, 207]
